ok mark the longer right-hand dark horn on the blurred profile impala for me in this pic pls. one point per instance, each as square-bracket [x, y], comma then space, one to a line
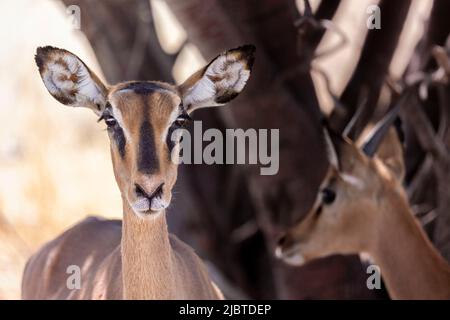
[379, 131]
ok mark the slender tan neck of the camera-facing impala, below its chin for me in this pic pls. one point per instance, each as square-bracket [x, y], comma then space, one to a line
[147, 265]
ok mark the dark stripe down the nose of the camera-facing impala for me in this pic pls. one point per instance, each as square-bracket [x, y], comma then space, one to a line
[147, 159]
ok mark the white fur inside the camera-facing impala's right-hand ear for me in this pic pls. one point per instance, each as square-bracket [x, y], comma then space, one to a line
[233, 76]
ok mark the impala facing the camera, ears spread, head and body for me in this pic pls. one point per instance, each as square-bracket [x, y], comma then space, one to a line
[138, 258]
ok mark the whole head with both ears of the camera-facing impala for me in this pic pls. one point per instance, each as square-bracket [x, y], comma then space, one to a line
[140, 116]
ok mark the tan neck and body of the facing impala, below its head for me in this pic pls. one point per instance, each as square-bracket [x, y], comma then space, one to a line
[156, 264]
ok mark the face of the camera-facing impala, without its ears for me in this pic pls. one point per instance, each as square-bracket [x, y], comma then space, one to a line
[140, 117]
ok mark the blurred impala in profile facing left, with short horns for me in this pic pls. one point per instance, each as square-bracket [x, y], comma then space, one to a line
[361, 207]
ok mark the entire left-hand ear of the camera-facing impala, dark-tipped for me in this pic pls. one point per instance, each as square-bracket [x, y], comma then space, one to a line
[69, 80]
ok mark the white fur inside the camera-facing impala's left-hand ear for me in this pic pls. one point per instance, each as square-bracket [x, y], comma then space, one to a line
[57, 80]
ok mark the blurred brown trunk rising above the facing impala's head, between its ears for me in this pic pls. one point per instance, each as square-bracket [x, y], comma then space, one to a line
[123, 37]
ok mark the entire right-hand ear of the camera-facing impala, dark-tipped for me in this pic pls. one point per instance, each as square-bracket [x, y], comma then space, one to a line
[220, 81]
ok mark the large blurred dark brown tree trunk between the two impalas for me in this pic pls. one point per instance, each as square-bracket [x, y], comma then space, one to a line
[270, 202]
